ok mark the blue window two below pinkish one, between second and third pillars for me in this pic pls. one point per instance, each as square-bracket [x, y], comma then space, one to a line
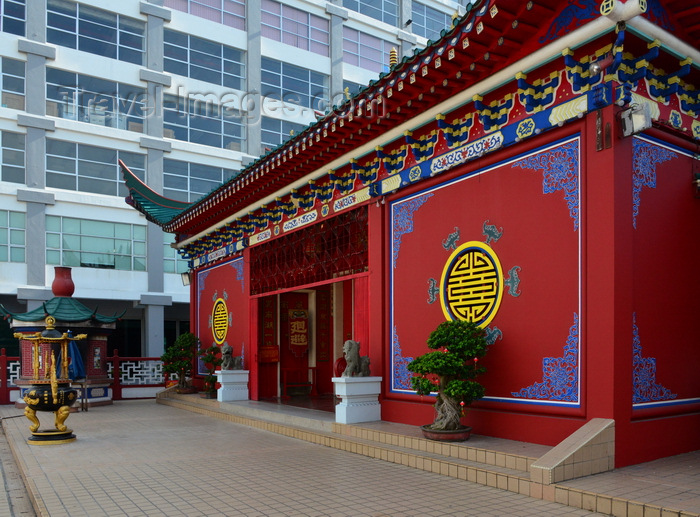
[202, 121]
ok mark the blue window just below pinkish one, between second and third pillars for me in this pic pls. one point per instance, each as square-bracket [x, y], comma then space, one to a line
[203, 60]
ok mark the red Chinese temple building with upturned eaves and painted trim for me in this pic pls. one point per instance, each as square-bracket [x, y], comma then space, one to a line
[535, 170]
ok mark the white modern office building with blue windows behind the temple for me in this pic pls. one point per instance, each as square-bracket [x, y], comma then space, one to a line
[186, 93]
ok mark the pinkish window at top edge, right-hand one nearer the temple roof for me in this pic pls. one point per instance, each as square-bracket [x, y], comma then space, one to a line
[294, 27]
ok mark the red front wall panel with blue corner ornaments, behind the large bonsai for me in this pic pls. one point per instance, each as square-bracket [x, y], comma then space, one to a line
[530, 215]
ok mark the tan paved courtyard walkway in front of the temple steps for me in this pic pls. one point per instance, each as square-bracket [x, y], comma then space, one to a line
[139, 458]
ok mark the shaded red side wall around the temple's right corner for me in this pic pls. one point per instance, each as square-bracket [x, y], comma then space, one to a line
[662, 335]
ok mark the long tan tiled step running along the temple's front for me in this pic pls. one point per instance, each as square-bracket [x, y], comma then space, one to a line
[484, 460]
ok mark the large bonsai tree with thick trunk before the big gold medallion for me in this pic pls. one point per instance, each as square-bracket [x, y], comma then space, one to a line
[450, 369]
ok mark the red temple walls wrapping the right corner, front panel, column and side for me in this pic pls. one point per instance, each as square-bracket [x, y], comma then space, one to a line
[593, 286]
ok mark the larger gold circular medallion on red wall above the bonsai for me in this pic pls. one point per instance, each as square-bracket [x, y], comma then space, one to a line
[472, 284]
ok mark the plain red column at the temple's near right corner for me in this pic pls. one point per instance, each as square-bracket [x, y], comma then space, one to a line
[607, 328]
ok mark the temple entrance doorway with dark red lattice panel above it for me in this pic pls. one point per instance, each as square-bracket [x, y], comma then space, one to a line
[308, 295]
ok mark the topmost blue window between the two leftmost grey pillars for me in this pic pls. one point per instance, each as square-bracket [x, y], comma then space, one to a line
[96, 31]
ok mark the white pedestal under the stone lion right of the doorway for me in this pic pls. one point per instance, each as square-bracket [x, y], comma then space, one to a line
[359, 399]
